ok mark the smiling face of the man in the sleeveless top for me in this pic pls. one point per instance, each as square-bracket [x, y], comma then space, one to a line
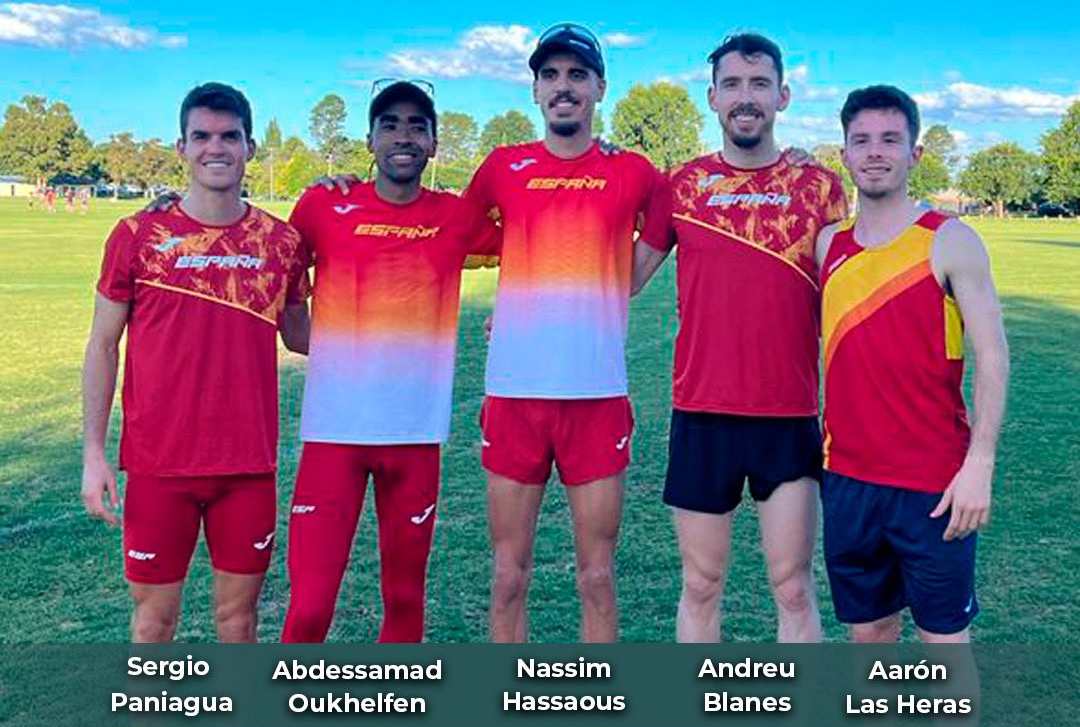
[880, 153]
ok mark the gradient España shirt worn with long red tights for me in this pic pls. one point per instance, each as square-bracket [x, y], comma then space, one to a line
[385, 313]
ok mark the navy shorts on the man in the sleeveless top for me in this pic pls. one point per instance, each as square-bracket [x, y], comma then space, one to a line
[884, 553]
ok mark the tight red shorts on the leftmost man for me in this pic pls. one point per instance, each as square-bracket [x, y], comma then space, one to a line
[163, 518]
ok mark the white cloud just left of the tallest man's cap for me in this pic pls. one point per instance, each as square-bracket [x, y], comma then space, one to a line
[487, 51]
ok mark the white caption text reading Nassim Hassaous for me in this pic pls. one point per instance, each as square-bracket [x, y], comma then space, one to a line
[579, 669]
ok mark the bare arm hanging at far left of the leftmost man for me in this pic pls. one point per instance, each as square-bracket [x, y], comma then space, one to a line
[99, 386]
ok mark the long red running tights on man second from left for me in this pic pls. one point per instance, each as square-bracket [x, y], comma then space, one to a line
[327, 507]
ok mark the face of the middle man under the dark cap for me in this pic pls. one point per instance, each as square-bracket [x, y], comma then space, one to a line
[568, 92]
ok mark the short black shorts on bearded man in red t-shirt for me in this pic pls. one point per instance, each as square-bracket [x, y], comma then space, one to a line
[710, 456]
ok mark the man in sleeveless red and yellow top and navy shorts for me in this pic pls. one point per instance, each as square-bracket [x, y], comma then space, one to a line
[908, 481]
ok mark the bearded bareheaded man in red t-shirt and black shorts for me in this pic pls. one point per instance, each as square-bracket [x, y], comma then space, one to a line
[746, 380]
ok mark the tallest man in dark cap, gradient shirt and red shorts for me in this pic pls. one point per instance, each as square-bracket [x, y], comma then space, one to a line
[557, 375]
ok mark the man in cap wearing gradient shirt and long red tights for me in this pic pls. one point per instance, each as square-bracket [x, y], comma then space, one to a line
[388, 259]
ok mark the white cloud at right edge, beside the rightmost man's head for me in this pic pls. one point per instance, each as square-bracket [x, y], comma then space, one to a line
[970, 102]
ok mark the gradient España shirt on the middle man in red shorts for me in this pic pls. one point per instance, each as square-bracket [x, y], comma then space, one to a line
[569, 226]
